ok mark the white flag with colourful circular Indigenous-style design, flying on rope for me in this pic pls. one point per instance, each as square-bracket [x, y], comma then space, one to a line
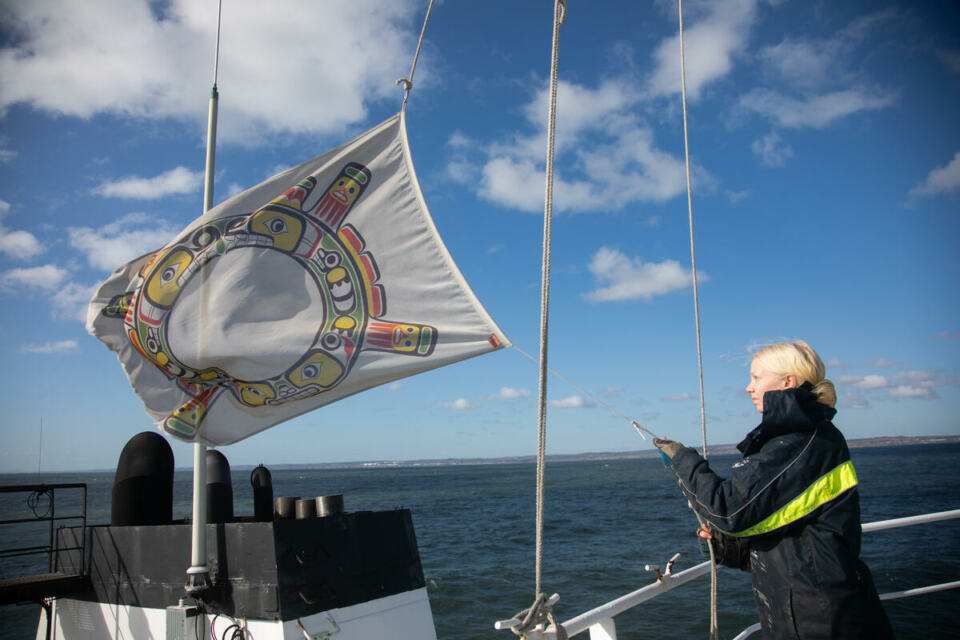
[325, 280]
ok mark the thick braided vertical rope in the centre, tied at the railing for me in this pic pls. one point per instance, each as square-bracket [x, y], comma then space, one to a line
[559, 14]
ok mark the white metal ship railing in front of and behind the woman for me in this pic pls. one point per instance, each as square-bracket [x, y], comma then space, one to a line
[600, 621]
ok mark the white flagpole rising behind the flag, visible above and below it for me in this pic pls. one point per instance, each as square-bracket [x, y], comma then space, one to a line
[198, 575]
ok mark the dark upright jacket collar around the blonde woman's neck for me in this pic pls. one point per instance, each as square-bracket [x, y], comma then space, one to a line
[786, 411]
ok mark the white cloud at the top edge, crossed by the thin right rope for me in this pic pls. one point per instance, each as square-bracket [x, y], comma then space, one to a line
[710, 47]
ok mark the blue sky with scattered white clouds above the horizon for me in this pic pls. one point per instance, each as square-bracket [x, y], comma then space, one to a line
[826, 202]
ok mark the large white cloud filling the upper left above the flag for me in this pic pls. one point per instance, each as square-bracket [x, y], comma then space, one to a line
[136, 58]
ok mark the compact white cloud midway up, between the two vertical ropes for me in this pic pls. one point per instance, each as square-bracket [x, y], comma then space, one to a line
[624, 278]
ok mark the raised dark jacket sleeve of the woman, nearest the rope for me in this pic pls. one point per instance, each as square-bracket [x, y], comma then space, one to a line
[759, 486]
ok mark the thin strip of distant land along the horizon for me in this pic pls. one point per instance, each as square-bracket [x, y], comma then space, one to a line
[720, 449]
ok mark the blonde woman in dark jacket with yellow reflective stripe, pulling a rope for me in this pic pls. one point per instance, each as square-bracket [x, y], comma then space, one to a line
[790, 512]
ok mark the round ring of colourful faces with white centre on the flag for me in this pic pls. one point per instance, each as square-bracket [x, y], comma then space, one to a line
[217, 306]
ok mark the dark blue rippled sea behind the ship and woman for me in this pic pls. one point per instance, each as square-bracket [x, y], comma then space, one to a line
[604, 522]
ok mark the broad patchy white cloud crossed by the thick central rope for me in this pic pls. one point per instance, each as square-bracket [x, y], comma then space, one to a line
[600, 140]
